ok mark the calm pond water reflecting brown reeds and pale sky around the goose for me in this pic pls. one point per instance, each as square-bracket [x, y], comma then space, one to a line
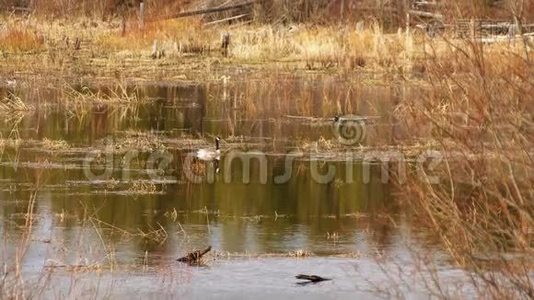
[107, 170]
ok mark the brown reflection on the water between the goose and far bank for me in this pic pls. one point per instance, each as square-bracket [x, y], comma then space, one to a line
[252, 107]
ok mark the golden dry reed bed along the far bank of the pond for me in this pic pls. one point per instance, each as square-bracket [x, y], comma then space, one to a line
[97, 48]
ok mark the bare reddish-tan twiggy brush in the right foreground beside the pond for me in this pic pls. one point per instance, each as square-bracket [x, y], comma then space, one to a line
[482, 207]
